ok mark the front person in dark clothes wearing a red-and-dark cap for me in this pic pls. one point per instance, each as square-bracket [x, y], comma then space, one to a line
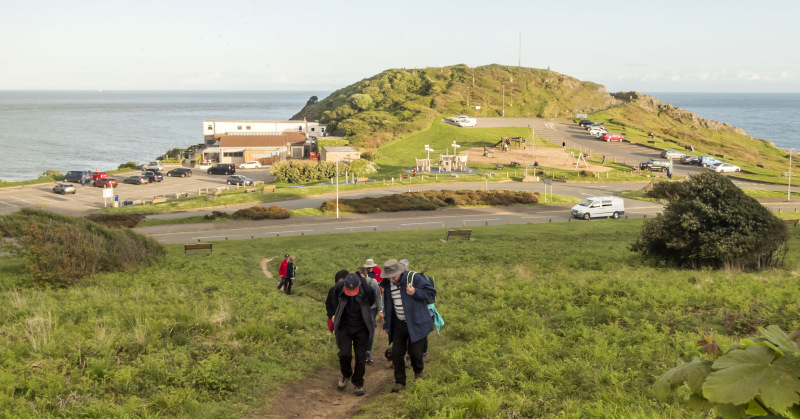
[352, 325]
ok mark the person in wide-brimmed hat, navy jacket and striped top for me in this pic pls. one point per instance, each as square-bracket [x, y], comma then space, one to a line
[407, 320]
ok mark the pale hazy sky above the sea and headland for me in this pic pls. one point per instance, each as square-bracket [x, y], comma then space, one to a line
[648, 46]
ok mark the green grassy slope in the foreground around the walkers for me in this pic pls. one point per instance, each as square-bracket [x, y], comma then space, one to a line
[542, 320]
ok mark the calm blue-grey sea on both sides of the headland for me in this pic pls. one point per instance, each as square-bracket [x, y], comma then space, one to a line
[87, 130]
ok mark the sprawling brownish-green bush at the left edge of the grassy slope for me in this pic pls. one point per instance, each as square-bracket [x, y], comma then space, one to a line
[60, 249]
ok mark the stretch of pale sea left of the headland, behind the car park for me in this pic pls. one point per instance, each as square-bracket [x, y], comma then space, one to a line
[85, 130]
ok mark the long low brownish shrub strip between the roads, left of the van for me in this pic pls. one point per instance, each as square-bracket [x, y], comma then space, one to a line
[431, 200]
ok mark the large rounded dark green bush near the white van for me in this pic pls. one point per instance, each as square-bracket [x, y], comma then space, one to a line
[709, 222]
